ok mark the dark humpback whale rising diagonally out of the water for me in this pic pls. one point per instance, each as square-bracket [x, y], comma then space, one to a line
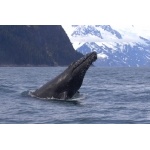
[67, 84]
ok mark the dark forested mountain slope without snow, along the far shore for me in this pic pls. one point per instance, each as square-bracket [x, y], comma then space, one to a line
[35, 45]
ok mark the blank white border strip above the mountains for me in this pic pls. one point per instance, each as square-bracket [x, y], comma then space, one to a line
[118, 12]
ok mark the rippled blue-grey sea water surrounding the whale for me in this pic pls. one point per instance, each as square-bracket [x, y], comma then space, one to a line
[107, 96]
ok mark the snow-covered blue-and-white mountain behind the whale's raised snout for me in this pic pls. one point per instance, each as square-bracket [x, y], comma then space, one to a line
[115, 45]
